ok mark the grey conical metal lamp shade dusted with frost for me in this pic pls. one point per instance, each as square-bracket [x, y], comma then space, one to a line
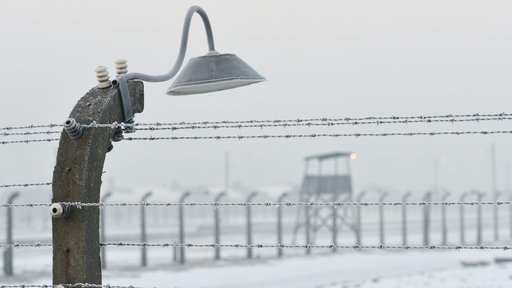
[213, 72]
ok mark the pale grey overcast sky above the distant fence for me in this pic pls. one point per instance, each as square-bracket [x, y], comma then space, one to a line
[321, 59]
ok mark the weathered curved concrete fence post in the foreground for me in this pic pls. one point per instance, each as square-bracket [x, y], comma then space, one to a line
[77, 178]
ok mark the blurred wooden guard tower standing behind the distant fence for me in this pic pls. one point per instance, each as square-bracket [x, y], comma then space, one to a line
[332, 181]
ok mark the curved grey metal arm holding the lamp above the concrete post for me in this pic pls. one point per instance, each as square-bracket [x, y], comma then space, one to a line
[122, 81]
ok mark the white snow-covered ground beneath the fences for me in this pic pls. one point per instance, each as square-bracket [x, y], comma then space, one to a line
[322, 270]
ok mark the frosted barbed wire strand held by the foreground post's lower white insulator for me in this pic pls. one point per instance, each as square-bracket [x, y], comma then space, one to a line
[335, 204]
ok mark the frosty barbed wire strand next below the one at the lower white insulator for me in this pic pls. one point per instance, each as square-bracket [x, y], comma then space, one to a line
[289, 246]
